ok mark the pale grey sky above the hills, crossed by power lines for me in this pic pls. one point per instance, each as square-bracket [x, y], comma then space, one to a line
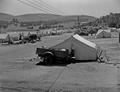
[95, 8]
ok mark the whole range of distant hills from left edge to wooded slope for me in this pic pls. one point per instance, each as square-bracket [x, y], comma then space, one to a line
[44, 17]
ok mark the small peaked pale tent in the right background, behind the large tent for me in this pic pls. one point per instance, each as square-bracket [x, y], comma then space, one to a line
[103, 34]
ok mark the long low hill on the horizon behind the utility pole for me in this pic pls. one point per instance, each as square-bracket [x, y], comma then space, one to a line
[51, 17]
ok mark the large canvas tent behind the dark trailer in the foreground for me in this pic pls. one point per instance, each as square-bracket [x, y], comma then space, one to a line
[83, 49]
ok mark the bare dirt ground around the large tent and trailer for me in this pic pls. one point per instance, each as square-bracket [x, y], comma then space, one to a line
[18, 74]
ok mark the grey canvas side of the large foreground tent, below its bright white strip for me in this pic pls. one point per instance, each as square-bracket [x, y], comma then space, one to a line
[83, 51]
